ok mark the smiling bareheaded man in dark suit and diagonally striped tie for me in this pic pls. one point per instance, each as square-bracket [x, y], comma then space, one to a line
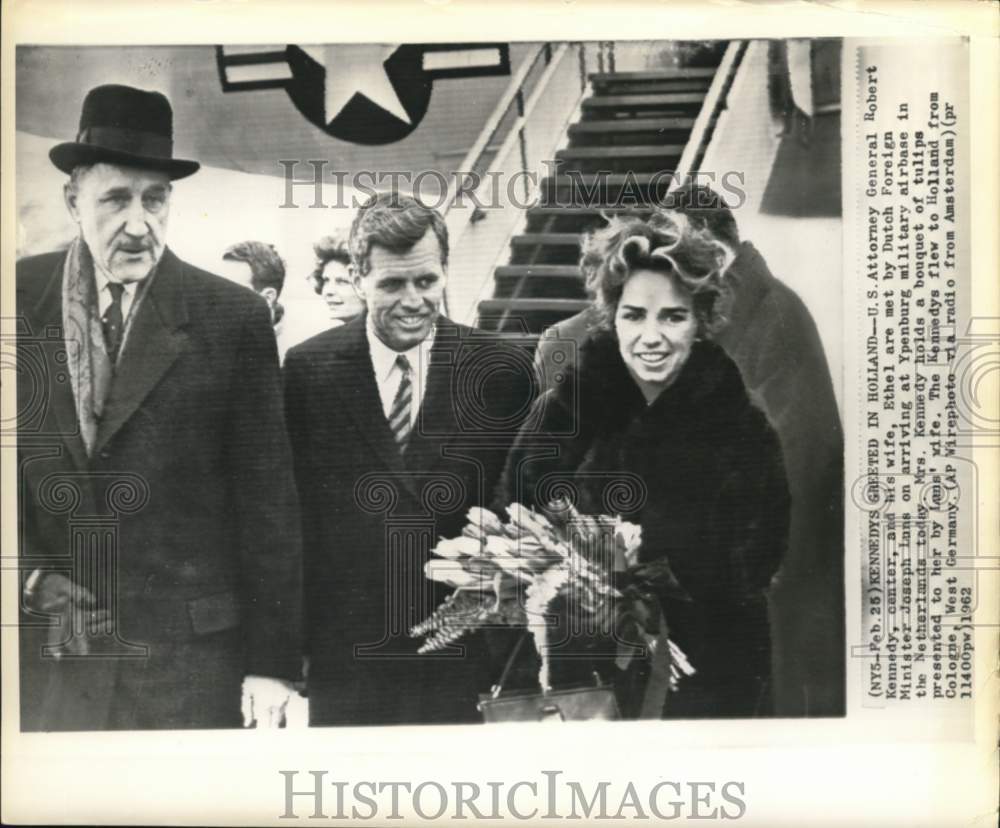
[400, 421]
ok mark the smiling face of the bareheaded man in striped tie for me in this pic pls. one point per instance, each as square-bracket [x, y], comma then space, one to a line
[404, 292]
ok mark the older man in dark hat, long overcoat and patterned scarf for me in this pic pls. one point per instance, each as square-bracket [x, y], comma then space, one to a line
[158, 517]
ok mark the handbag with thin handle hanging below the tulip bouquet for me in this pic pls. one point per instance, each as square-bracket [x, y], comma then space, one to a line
[592, 702]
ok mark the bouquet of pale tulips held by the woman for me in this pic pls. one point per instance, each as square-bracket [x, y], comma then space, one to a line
[510, 573]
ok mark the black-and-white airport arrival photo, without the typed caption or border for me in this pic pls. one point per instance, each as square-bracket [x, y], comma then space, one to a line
[571, 448]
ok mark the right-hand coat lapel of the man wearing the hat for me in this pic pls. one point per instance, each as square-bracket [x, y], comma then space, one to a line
[155, 340]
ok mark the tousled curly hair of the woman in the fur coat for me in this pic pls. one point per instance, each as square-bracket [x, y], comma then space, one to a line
[666, 243]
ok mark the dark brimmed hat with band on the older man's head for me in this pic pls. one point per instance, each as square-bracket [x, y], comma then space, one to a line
[124, 125]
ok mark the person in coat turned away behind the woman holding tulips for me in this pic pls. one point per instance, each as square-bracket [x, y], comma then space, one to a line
[773, 339]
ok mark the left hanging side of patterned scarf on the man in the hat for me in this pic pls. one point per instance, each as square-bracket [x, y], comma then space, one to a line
[90, 368]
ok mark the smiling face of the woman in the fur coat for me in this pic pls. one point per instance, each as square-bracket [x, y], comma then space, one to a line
[656, 327]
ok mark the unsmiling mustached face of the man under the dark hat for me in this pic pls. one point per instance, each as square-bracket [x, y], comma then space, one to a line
[122, 214]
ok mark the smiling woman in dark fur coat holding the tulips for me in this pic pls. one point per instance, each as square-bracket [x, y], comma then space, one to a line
[654, 424]
